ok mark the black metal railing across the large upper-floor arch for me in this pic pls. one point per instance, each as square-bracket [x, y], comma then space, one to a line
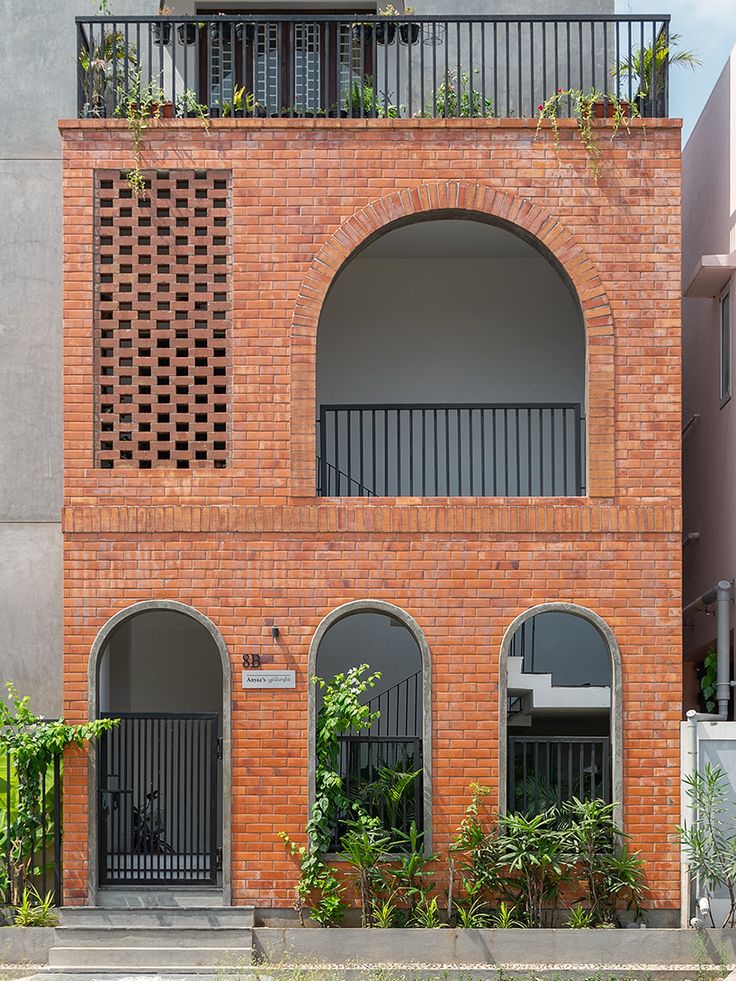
[486, 450]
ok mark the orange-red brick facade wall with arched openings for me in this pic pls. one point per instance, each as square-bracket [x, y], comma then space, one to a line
[249, 546]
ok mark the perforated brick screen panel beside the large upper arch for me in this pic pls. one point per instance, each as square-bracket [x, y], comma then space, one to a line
[162, 319]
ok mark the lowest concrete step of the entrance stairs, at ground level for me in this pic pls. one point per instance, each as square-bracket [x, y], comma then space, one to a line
[150, 959]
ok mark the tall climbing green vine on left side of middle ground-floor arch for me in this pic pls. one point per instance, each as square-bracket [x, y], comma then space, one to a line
[341, 711]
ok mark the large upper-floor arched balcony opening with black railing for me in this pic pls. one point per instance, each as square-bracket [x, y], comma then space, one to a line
[451, 361]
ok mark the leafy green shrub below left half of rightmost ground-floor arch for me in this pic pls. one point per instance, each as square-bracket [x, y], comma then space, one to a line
[533, 848]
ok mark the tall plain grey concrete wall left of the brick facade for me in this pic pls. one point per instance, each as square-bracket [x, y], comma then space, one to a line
[38, 52]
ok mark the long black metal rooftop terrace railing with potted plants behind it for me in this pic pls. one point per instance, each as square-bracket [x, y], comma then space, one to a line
[368, 66]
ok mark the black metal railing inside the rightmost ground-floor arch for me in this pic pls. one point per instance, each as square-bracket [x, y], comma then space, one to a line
[548, 770]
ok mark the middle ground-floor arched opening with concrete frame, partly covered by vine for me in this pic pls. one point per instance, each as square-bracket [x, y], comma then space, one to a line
[389, 640]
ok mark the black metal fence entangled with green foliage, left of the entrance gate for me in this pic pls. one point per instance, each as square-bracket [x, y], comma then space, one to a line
[34, 861]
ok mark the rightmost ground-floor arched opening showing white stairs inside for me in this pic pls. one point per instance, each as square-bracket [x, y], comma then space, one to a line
[559, 709]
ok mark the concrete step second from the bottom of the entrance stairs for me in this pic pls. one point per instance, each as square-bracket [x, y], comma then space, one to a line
[100, 937]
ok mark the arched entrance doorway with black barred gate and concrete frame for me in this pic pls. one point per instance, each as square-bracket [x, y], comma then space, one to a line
[161, 779]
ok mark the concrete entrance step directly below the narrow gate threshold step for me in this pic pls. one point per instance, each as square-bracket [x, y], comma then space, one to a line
[232, 917]
